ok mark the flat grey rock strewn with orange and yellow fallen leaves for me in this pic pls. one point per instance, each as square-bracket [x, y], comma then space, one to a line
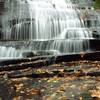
[76, 80]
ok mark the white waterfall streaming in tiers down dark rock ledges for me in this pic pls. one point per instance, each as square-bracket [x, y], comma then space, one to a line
[49, 24]
